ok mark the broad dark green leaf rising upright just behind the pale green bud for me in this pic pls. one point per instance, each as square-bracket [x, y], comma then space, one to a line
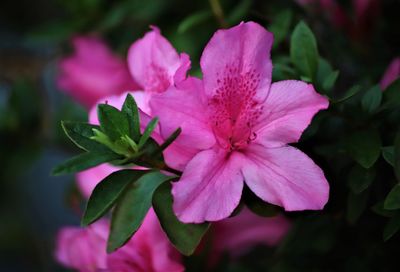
[113, 122]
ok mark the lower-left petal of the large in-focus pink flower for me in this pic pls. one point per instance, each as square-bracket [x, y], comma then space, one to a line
[210, 187]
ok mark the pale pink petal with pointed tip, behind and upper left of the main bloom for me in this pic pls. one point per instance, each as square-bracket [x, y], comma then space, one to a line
[153, 62]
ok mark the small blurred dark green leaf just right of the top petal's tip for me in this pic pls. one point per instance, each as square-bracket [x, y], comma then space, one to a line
[280, 25]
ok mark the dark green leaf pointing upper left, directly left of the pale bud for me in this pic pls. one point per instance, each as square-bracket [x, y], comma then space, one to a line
[80, 134]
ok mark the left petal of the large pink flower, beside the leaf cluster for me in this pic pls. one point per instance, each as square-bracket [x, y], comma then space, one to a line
[182, 107]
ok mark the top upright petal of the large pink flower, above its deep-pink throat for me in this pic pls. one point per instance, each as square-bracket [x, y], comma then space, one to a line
[238, 57]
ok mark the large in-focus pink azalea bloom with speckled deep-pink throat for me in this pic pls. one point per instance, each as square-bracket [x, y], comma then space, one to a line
[235, 128]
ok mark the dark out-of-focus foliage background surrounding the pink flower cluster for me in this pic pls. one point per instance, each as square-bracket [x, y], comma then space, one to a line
[356, 142]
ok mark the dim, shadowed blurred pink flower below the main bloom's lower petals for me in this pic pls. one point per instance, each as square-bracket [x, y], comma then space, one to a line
[239, 234]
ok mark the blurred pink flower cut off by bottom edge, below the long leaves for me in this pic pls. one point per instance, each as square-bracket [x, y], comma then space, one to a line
[148, 250]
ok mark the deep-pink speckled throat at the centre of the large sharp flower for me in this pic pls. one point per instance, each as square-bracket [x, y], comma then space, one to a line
[233, 108]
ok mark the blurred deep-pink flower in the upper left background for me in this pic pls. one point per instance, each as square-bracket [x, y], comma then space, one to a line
[93, 72]
